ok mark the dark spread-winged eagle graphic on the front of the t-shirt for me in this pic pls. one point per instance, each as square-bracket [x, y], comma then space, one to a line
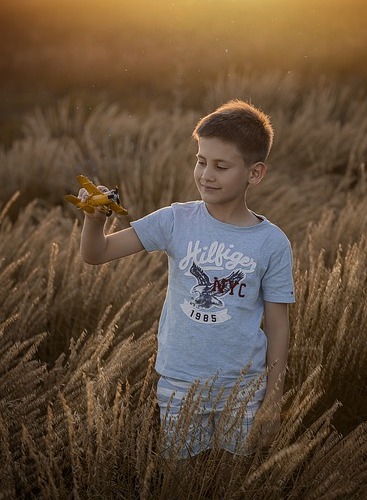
[207, 293]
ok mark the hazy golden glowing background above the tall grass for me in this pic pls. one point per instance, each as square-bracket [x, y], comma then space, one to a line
[167, 53]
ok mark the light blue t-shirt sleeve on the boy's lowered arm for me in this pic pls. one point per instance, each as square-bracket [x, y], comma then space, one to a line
[277, 282]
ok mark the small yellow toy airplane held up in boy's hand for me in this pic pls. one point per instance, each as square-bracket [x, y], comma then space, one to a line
[107, 202]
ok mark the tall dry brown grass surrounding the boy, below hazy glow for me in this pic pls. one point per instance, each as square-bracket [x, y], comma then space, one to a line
[78, 415]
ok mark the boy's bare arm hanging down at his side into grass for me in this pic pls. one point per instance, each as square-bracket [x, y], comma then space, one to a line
[276, 328]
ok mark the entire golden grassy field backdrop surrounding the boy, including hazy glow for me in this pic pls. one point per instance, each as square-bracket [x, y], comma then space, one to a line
[78, 416]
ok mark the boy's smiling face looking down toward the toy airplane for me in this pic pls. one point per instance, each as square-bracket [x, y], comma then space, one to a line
[220, 174]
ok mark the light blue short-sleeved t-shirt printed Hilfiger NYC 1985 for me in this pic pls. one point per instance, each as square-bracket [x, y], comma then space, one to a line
[219, 277]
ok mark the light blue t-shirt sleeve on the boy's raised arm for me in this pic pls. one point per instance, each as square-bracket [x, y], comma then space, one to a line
[155, 230]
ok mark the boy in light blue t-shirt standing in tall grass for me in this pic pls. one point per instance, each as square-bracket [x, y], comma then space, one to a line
[228, 267]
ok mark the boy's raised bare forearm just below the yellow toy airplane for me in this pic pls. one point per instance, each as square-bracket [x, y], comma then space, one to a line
[93, 241]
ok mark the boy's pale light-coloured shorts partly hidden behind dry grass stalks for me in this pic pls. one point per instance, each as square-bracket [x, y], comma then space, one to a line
[198, 417]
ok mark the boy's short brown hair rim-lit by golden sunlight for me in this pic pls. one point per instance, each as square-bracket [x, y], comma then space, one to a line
[241, 124]
